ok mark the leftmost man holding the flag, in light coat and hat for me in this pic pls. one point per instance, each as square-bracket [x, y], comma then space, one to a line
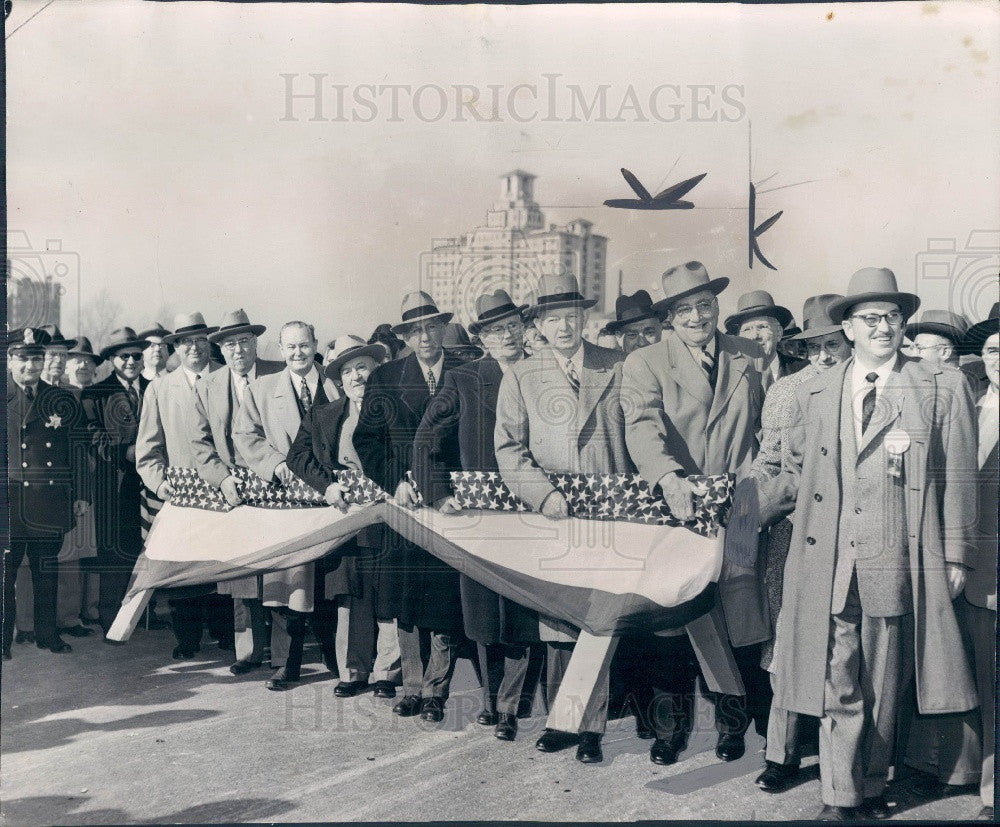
[164, 439]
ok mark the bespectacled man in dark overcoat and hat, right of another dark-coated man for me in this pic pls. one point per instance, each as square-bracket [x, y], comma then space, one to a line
[463, 415]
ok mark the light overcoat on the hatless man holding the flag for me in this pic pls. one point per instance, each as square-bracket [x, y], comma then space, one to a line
[263, 430]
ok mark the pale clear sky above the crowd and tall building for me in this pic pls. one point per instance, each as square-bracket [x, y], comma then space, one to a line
[156, 143]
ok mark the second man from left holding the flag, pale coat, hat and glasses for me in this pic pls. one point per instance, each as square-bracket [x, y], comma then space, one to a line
[219, 397]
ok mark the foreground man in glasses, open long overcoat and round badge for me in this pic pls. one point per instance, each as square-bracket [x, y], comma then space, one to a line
[881, 477]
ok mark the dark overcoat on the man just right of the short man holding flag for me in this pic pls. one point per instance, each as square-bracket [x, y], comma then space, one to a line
[413, 586]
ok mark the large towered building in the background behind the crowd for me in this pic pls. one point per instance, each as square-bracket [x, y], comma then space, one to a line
[513, 250]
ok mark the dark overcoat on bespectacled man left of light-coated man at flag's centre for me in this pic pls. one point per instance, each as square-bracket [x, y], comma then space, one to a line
[463, 415]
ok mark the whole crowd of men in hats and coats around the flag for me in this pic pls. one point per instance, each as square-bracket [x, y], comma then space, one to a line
[870, 432]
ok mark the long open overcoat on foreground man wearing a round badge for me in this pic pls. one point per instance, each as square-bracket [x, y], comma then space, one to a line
[933, 406]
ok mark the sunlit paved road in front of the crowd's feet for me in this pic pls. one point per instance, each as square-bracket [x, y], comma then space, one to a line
[109, 735]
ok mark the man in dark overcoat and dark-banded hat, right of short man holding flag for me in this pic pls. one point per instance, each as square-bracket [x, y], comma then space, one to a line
[414, 587]
